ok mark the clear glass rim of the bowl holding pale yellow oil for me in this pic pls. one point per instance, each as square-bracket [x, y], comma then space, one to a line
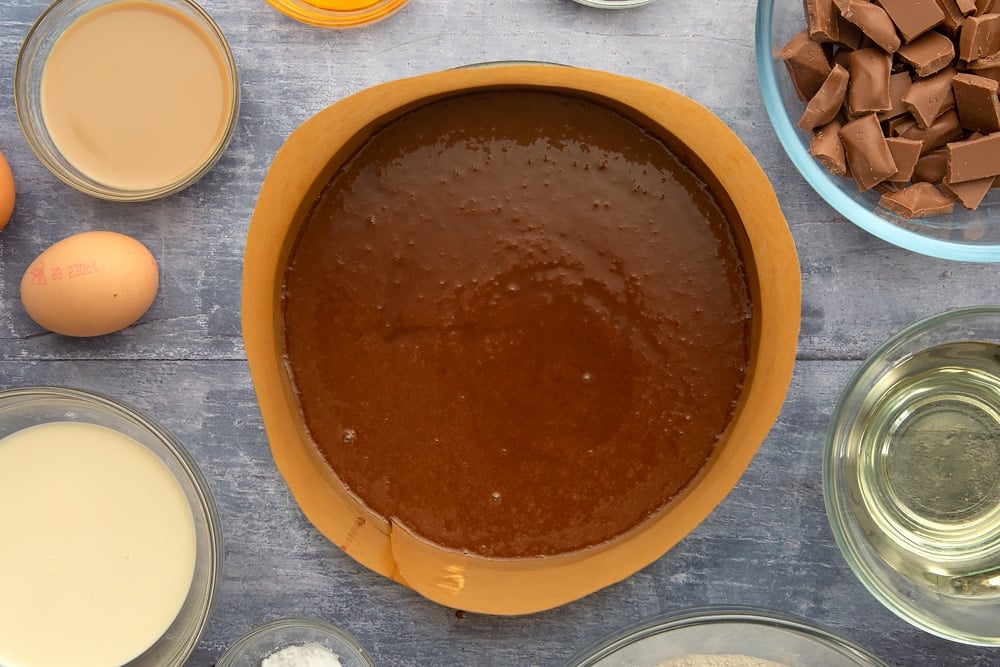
[840, 517]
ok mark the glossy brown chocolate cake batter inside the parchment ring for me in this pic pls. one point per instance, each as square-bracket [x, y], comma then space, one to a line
[516, 322]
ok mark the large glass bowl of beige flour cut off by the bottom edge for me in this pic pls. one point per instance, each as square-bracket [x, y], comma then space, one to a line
[723, 636]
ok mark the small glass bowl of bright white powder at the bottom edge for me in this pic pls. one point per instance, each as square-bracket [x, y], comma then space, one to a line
[296, 642]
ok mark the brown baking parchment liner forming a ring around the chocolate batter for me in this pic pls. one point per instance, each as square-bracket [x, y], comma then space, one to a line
[308, 160]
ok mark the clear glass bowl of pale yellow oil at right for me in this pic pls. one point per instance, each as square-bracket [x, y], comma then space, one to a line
[911, 474]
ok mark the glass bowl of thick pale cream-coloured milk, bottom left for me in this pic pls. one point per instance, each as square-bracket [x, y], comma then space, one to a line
[113, 540]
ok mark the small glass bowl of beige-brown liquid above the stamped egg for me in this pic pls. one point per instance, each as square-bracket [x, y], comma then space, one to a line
[147, 126]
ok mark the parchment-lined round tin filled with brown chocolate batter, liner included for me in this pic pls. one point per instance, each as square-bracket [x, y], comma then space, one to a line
[515, 330]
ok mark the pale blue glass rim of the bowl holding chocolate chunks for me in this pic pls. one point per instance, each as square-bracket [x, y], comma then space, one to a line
[820, 180]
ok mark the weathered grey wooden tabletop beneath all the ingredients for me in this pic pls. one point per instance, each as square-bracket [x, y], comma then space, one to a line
[768, 543]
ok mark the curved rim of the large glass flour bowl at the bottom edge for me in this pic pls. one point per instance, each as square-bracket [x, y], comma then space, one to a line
[719, 614]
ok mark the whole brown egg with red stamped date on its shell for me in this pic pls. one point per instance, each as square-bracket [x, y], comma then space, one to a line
[90, 284]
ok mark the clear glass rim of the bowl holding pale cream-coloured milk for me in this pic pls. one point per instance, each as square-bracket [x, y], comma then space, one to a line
[176, 450]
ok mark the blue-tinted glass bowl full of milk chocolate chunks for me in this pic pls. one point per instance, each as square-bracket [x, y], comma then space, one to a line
[890, 112]
